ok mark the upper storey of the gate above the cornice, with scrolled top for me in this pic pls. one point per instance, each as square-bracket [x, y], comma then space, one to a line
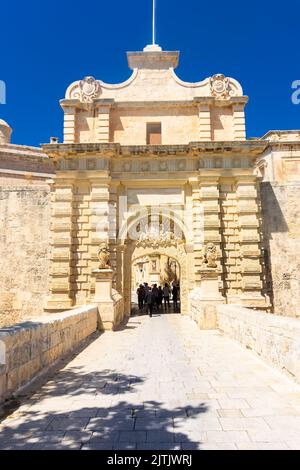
[154, 105]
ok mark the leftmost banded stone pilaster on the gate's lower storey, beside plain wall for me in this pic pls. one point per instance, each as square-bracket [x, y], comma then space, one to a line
[61, 247]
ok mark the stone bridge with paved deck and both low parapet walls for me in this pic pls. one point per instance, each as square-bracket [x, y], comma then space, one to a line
[154, 383]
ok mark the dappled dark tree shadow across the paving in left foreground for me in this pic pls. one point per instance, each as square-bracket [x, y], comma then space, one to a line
[99, 410]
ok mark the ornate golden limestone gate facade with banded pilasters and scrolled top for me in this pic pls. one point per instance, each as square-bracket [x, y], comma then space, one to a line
[197, 174]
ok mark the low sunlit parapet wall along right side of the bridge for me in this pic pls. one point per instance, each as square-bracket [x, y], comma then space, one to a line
[274, 338]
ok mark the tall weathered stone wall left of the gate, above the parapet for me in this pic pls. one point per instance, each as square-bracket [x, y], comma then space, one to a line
[24, 247]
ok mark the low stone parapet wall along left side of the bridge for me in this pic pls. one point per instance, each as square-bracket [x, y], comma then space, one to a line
[29, 348]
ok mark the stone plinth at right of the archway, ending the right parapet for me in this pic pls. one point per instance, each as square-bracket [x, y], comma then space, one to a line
[205, 298]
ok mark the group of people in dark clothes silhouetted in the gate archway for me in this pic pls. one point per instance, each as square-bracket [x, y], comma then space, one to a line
[153, 297]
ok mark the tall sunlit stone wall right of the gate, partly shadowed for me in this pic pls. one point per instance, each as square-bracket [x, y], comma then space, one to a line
[281, 242]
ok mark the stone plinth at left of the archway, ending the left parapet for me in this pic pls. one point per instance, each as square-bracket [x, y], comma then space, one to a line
[110, 303]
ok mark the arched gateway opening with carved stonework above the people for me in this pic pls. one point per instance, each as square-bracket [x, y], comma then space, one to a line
[151, 239]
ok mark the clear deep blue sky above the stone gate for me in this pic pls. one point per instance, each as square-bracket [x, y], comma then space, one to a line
[45, 45]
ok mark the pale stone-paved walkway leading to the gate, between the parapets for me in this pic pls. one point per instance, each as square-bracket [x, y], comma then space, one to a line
[160, 383]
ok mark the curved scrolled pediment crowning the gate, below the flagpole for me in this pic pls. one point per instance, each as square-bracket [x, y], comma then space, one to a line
[154, 79]
